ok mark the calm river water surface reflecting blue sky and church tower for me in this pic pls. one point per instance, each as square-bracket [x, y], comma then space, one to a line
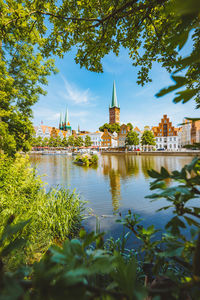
[120, 181]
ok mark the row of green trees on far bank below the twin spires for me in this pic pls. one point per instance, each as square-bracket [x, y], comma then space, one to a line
[58, 142]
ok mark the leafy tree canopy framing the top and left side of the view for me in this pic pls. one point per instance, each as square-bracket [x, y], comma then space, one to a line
[31, 32]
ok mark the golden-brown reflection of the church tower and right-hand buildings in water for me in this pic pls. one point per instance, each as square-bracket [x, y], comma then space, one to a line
[121, 167]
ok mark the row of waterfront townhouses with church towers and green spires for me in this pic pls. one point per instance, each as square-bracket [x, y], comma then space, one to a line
[166, 135]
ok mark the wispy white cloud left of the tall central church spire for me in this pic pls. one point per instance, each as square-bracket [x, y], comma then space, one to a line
[74, 94]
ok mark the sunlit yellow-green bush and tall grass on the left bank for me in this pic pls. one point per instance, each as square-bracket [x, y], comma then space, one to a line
[55, 215]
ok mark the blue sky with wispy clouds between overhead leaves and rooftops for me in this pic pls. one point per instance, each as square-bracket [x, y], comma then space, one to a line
[87, 95]
